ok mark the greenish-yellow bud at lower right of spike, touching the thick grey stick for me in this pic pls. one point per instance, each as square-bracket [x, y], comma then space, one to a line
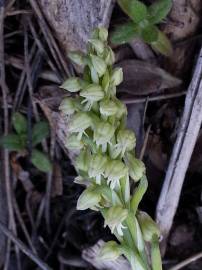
[148, 227]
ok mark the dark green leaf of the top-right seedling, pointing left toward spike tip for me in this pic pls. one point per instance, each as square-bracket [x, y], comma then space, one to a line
[124, 33]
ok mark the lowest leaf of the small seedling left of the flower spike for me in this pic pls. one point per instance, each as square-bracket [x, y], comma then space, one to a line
[41, 161]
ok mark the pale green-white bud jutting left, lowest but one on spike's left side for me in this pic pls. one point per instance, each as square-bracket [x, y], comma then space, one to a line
[88, 199]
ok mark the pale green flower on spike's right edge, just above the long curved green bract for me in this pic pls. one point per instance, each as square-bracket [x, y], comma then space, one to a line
[136, 167]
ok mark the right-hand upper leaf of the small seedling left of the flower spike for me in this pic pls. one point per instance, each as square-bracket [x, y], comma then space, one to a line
[40, 132]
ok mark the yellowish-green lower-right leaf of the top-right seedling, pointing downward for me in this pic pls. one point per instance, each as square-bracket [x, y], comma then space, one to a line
[163, 44]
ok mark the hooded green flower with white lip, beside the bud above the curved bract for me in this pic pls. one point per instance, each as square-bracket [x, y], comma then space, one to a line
[114, 171]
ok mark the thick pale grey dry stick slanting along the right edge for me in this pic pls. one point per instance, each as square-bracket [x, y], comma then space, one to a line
[182, 151]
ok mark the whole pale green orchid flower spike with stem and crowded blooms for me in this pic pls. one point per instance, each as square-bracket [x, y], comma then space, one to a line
[106, 163]
